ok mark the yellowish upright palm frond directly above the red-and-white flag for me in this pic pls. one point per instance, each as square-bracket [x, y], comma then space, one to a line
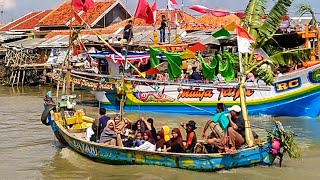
[253, 15]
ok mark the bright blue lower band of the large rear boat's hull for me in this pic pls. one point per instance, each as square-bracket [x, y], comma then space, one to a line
[304, 106]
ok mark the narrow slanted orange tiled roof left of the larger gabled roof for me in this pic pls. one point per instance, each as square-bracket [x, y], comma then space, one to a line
[32, 22]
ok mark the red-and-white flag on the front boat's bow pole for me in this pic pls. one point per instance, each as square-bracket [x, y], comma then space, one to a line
[244, 40]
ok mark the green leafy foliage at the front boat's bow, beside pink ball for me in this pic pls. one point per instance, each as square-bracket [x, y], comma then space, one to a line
[287, 141]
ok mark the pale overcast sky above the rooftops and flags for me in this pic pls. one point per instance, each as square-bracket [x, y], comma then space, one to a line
[12, 9]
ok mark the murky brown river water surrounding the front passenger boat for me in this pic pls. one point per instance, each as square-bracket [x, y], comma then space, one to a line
[29, 150]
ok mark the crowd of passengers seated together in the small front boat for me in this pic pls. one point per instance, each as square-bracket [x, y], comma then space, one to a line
[227, 133]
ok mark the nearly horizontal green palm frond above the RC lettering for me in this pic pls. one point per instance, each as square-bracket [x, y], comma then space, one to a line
[287, 57]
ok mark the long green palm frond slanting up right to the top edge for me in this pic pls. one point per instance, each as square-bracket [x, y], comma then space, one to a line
[273, 21]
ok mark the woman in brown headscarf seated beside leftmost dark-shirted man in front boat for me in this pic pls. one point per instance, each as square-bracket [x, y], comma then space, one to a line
[108, 135]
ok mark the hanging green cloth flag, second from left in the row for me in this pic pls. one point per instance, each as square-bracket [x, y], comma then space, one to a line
[174, 64]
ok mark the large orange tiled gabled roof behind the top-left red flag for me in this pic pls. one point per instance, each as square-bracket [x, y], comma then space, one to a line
[64, 13]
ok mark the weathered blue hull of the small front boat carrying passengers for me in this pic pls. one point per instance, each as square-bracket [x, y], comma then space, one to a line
[196, 162]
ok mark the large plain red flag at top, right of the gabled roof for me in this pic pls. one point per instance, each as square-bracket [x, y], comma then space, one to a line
[144, 12]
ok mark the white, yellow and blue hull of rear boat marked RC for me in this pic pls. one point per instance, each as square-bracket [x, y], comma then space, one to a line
[296, 94]
